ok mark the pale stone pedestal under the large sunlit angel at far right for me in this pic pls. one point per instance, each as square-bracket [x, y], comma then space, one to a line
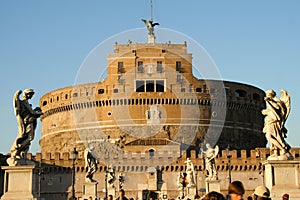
[282, 176]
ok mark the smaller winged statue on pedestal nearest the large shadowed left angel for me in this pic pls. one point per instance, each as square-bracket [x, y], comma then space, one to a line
[91, 162]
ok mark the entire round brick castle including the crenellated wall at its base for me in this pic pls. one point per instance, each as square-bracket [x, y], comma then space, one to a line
[146, 118]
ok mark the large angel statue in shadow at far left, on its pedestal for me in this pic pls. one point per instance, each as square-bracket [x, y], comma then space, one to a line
[27, 122]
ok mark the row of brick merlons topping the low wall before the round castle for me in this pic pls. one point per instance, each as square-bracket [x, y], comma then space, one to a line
[256, 156]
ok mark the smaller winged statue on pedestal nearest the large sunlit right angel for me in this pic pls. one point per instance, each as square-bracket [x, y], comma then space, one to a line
[210, 164]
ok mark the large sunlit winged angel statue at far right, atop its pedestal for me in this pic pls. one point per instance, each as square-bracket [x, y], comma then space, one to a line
[277, 112]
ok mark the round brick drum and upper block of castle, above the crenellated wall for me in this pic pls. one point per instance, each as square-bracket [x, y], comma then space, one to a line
[149, 98]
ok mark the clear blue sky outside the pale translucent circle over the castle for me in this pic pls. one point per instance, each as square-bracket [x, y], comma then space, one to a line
[43, 44]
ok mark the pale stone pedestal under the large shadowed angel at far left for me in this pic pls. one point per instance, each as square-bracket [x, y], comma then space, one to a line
[20, 182]
